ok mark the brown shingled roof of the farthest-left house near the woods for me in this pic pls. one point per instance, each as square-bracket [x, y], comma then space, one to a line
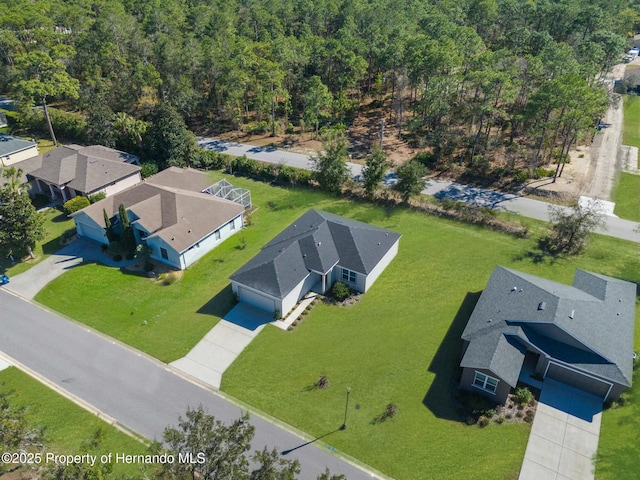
[85, 169]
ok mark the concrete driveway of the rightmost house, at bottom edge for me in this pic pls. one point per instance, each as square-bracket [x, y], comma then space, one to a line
[564, 436]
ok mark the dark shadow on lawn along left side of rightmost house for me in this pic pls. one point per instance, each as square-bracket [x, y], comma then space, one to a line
[445, 364]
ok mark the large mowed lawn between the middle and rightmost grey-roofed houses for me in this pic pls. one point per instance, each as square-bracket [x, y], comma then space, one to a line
[402, 344]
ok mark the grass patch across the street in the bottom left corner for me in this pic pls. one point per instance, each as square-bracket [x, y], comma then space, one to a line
[67, 427]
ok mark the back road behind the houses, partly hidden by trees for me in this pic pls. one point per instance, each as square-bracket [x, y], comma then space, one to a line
[507, 202]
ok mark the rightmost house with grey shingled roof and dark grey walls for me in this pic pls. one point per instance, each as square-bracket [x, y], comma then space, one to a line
[525, 329]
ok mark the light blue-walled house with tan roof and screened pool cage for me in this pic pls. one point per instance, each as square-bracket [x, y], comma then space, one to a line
[170, 214]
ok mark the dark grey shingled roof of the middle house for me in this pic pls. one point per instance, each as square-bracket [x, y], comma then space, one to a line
[316, 241]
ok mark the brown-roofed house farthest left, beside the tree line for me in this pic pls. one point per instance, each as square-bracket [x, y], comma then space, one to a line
[72, 170]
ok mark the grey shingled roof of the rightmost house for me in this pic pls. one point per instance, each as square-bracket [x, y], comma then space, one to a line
[588, 324]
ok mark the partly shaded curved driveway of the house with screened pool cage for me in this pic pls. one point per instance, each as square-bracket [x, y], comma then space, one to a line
[29, 283]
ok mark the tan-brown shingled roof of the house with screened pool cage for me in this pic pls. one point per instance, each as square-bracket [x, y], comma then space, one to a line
[179, 216]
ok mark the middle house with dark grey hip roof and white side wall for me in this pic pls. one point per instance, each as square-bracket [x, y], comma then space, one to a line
[312, 253]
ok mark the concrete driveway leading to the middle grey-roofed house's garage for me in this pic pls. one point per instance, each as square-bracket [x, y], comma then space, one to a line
[209, 359]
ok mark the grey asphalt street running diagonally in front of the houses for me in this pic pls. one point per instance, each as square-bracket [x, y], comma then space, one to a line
[143, 394]
